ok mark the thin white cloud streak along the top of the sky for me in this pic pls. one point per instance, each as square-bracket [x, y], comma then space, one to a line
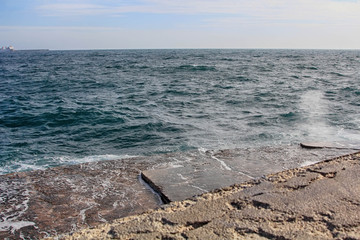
[326, 11]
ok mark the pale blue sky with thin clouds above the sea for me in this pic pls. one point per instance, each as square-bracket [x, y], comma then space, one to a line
[149, 24]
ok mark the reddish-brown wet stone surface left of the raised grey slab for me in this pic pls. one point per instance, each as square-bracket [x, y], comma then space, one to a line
[37, 204]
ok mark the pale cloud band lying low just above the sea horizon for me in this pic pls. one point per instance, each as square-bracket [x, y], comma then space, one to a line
[119, 38]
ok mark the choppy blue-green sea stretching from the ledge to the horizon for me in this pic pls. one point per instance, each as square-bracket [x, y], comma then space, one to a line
[69, 107]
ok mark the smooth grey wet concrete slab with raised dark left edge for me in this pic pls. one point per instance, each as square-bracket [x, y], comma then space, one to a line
[200, 172]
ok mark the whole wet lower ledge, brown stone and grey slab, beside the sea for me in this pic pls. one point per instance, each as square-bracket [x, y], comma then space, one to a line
[65, 199]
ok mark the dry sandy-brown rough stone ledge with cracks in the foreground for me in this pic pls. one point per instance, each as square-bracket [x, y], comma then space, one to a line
[321, 201]
